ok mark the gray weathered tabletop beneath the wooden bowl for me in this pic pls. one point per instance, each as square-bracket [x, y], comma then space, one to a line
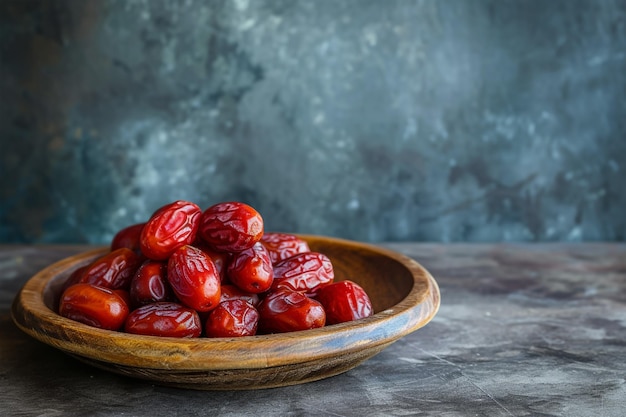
[523, 329]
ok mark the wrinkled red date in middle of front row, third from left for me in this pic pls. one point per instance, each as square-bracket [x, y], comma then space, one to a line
[232, 318]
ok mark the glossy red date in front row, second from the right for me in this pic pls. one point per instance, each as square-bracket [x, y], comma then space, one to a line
[288, 311]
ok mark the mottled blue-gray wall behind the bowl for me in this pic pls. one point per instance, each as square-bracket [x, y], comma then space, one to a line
[370, 120]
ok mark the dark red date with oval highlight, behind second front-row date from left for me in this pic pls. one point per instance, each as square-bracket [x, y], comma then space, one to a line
[149, 284]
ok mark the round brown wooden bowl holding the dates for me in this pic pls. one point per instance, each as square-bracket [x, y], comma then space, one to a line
[404, 295]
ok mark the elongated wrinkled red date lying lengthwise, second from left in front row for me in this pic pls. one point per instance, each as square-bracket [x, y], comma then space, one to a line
[164, 319]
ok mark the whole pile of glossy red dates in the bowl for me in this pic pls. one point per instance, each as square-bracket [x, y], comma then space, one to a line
[214, 273]
